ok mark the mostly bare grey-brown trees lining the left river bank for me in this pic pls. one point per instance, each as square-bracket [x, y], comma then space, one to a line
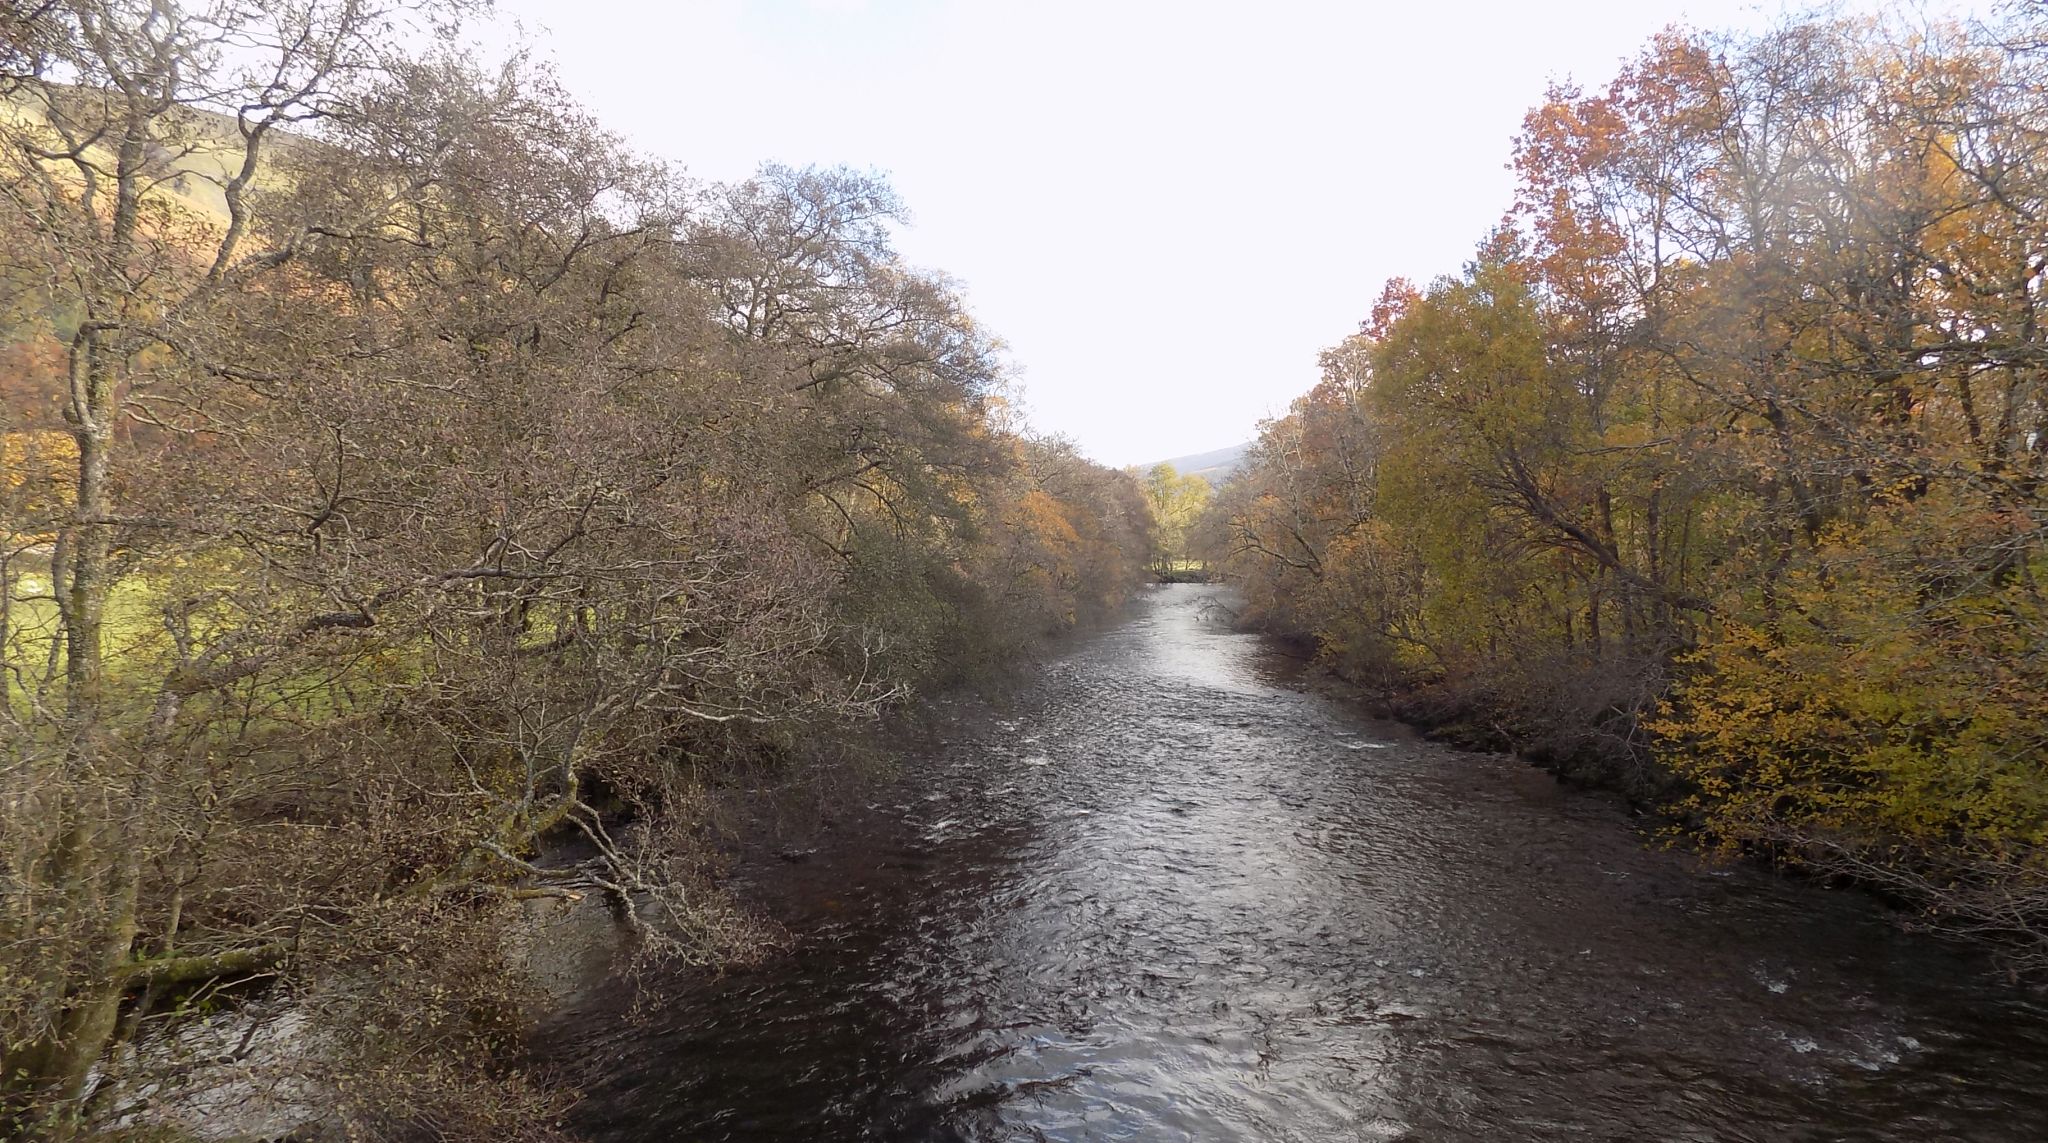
[400, 474]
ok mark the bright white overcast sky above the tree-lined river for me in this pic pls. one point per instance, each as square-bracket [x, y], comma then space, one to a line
[1164, 210]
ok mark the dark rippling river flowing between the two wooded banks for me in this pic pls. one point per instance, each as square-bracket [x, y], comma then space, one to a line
[1168, 896]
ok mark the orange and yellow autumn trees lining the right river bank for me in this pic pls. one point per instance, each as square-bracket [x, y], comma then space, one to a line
[1717, 474]
